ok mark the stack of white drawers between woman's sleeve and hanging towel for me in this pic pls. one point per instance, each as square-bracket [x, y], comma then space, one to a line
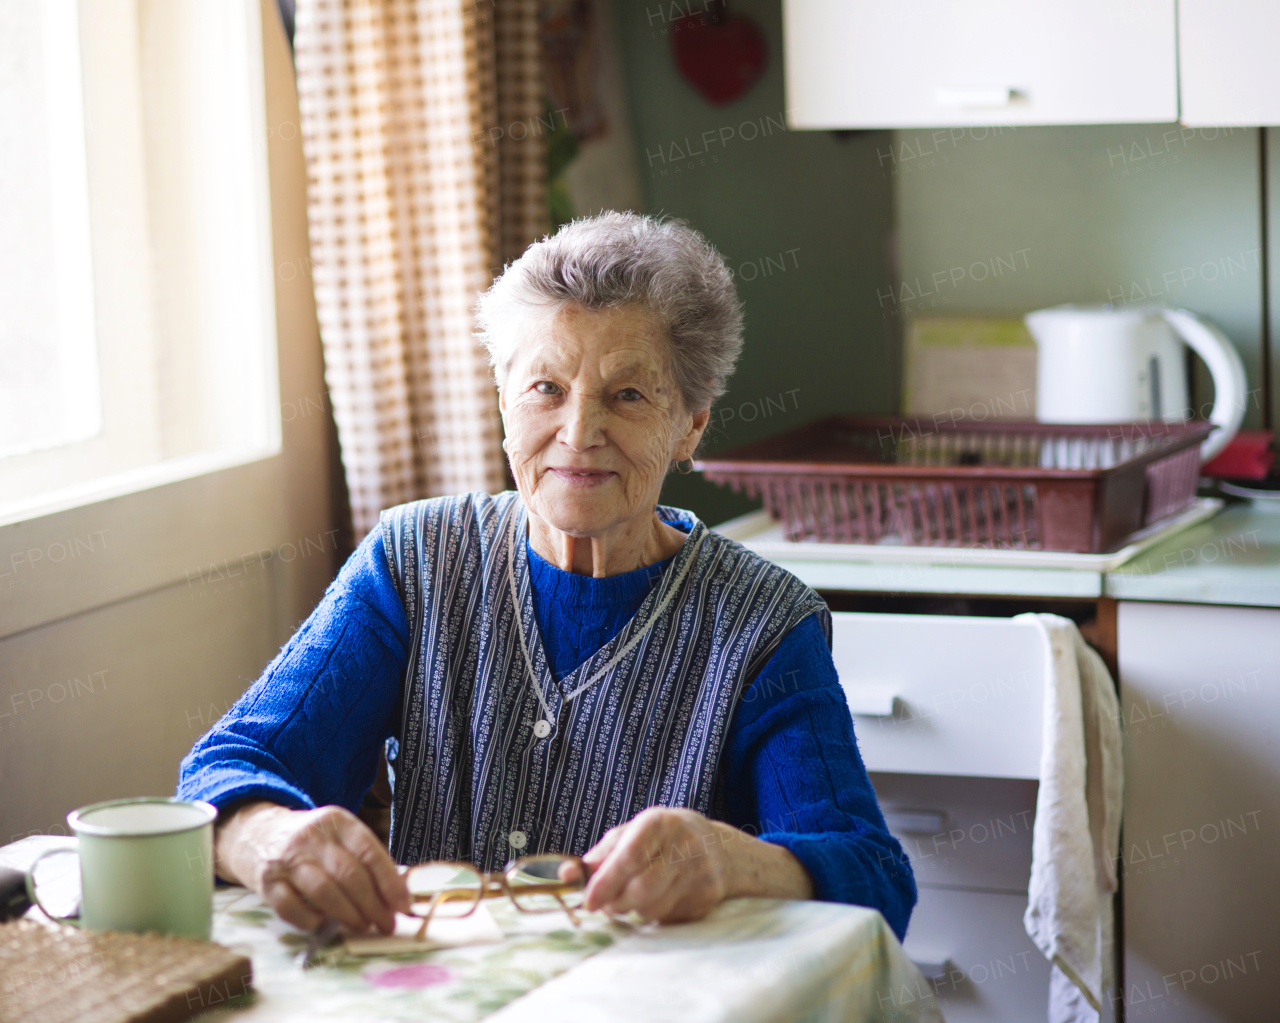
[948, 713]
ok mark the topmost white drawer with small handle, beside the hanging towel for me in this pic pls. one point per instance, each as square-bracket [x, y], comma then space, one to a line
[935, 695]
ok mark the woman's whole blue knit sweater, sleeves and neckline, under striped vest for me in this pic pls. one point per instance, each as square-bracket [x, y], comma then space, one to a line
[792, 770]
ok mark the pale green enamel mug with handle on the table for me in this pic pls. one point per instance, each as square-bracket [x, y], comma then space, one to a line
[147, 865]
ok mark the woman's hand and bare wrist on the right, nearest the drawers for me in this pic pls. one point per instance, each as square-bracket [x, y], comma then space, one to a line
[675, 865]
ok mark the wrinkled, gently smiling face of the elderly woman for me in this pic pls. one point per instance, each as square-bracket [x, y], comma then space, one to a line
[595, 419]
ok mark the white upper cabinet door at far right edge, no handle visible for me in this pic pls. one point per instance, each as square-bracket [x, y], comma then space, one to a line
[1227, 62]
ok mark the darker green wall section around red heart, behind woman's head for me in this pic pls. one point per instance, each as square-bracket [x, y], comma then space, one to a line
[816, 204]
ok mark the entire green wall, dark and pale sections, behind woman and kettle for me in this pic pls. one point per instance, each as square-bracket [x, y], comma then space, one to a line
[1087, 214]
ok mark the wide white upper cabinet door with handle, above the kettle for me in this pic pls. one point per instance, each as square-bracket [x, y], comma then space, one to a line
[938, 63]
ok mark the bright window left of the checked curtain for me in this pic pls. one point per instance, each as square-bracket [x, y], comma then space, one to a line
[138, 322]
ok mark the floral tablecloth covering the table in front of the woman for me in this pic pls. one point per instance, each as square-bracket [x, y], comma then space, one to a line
[752, 961]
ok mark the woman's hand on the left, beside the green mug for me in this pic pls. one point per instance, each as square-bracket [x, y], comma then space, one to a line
[312, 866]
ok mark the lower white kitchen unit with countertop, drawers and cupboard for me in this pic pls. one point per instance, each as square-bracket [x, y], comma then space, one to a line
[1196, 625]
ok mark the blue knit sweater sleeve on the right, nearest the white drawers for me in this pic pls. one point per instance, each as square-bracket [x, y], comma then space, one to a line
[793, 773]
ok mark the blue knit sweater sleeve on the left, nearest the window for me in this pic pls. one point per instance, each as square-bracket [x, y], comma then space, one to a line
[310, 730]
